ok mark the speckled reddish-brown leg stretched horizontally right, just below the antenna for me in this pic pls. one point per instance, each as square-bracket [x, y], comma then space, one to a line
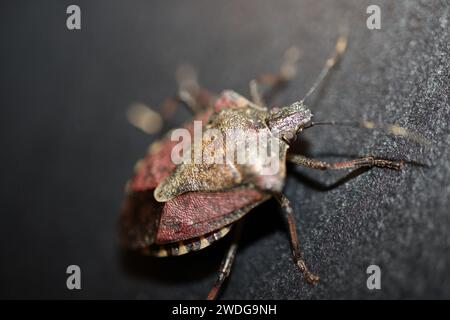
[356, 163]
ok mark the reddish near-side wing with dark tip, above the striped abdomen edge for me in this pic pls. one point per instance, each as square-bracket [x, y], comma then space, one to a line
[145, 221]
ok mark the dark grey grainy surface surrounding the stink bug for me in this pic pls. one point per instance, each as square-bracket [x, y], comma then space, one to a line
[67, 149]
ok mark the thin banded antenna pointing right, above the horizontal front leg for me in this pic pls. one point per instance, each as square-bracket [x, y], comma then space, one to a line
[393, 129]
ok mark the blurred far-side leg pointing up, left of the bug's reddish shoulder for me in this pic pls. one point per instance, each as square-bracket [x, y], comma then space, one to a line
[196, 98]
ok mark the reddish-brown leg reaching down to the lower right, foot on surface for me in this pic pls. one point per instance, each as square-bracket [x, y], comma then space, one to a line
[295, 243]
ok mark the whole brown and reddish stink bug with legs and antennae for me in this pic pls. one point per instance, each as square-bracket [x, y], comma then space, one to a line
[172, 209]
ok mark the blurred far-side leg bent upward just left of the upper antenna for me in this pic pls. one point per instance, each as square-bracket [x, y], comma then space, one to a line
[288, 70]
